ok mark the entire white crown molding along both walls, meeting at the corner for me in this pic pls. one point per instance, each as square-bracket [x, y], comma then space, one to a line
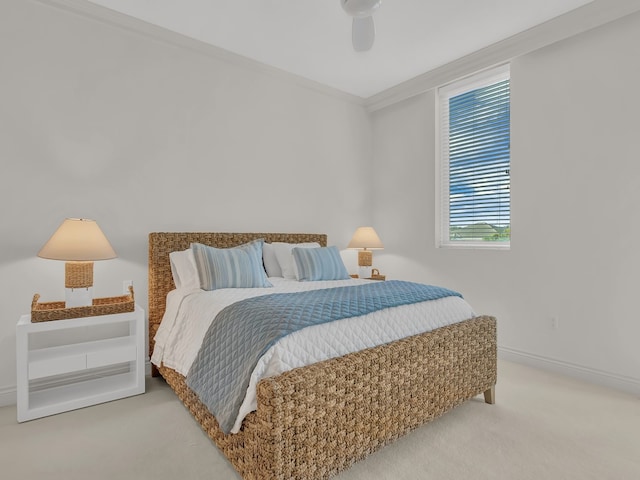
[587, 17]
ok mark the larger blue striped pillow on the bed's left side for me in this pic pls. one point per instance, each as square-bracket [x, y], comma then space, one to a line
[237, 267]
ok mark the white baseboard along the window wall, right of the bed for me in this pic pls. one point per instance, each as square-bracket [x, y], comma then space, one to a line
[591, 375]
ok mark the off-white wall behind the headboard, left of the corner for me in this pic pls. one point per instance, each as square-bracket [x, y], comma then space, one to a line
[141, 135]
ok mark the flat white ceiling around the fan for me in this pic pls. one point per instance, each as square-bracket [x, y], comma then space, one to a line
[312, 38]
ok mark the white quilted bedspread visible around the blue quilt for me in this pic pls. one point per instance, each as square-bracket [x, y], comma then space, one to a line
[189, 314]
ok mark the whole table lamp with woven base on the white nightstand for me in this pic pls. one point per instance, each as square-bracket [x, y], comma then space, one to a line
[79, 242]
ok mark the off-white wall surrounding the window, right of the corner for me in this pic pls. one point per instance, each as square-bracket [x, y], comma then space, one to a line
[575, 199]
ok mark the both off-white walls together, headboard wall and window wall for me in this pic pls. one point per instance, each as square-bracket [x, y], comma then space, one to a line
[100, 122]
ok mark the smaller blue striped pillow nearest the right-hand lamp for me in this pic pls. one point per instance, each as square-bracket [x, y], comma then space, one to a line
[322, 263]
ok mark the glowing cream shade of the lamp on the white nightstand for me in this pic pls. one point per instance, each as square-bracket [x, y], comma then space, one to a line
[78, 240]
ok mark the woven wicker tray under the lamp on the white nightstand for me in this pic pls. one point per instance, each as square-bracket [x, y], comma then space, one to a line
[46, 311]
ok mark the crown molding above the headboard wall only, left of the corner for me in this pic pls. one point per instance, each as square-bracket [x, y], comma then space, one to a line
[98, 13]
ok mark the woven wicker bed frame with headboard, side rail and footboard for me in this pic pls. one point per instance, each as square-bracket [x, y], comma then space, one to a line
[315, 421]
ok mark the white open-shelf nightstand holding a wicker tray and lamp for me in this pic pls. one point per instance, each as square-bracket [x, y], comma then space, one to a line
[55, 376]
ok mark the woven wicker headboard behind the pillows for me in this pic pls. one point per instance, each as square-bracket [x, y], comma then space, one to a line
[161, 244]
